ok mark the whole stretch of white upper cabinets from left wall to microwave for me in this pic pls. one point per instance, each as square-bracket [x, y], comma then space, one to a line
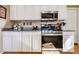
[24, 12]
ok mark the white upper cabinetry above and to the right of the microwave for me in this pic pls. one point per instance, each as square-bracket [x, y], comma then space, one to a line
[62, 10]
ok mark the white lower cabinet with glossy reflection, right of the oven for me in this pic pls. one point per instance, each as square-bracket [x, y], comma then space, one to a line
[68, 41]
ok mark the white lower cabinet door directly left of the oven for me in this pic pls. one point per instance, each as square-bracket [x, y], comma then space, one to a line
[36, 41]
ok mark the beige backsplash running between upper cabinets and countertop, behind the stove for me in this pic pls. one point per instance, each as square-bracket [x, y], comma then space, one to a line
[31, 23]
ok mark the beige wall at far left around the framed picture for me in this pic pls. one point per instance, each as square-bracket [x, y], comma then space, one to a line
[3, 23]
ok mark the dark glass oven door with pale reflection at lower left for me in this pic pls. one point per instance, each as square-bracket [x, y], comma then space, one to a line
[57, 41]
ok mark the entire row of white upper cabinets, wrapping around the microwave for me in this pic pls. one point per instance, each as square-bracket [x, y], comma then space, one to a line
[33, 12]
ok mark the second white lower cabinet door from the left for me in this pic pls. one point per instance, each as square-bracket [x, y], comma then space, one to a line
[16, 41]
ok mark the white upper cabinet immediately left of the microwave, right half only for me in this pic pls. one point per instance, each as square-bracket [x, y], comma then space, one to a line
[32, 12]
